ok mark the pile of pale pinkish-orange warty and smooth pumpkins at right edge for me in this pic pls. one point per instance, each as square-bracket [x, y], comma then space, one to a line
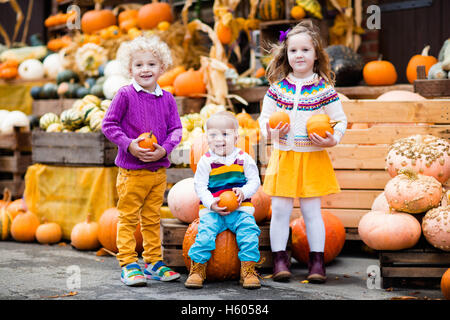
[414, 201]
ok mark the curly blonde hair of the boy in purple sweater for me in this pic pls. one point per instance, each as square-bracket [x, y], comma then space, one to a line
[151, 44]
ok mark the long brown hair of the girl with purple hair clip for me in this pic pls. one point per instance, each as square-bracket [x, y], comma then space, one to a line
[279, 67]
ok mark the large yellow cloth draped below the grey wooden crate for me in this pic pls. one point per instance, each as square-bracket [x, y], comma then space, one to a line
[66, 195]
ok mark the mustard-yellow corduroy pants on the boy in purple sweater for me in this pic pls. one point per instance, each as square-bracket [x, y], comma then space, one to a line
[141, 194]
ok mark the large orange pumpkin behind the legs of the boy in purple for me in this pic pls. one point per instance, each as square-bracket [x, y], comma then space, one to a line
[107, 231]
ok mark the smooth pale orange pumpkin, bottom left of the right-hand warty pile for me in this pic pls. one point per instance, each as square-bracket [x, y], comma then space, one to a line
[393, 230]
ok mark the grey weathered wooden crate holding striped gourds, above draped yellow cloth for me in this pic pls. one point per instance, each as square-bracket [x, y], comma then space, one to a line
[72, 148]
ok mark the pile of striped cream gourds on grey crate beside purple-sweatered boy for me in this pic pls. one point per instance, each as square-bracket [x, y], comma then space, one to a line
[85, 115]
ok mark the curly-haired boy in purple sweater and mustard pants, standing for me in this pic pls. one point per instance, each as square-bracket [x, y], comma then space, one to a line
[142, 107]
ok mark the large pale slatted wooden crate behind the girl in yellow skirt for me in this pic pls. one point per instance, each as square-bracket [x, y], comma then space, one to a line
[359, 160]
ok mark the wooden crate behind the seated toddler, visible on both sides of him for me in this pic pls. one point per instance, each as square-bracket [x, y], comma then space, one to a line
[172, 236]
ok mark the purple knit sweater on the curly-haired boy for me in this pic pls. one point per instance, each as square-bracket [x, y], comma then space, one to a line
[132, 113]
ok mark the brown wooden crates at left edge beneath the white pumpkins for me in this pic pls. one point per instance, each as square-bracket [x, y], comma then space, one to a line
[15, 157]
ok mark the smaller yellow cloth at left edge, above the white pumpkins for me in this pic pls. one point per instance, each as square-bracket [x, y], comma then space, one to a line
[16, 96]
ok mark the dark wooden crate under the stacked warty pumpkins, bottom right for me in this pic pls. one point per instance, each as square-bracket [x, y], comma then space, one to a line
[422, 265]
